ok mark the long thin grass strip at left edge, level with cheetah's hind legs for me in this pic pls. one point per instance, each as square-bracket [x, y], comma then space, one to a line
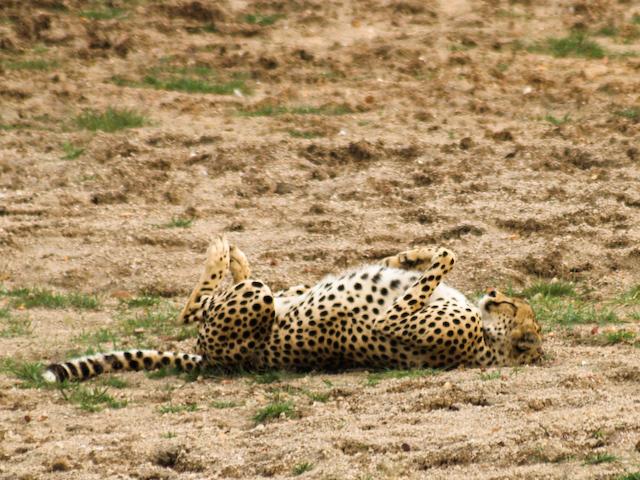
[38, 297]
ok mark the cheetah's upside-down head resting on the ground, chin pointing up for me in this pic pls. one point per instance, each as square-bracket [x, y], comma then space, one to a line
[517, 330]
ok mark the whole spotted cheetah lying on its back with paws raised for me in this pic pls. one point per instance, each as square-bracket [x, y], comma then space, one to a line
[398, 314]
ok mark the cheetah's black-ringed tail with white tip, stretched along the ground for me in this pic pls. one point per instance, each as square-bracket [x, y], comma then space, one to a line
[83, 368]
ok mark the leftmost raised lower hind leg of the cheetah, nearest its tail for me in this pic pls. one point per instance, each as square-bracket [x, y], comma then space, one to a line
[215, 267]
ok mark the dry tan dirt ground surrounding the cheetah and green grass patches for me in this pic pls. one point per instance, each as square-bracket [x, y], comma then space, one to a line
[444, 141]
